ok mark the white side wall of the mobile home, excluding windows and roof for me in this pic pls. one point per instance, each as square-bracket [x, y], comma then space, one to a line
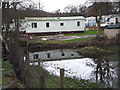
[54, 26]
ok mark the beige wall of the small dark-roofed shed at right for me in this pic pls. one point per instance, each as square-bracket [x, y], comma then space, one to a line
[111, 33]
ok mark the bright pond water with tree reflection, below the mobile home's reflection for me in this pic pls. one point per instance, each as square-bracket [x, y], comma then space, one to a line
[96, 70]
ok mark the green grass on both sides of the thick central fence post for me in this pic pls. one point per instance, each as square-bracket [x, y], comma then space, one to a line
[72, 82]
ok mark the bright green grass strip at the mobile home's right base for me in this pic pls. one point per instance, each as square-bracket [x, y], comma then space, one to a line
[89, 32]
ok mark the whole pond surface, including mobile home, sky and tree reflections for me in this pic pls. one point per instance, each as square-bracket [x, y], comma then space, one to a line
[98, 70]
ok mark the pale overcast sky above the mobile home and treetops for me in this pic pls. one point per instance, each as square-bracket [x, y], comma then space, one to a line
[52, 5]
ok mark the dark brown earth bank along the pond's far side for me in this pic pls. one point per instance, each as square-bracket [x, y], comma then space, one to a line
[78, 44]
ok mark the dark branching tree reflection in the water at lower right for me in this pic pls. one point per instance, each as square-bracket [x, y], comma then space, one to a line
[106, 72]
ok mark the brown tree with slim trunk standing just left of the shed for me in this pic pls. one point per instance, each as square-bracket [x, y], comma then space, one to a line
[99, 8]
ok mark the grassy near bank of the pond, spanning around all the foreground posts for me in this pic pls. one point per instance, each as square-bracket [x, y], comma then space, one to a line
[52, 81]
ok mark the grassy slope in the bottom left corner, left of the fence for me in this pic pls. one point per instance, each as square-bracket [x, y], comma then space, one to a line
[9, 79]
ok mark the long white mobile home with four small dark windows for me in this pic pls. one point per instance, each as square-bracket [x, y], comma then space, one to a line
[53, 25]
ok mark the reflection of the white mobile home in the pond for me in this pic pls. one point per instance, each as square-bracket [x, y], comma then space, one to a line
[53, 55]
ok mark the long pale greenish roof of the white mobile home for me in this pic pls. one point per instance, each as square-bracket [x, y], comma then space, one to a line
[54, 18]
